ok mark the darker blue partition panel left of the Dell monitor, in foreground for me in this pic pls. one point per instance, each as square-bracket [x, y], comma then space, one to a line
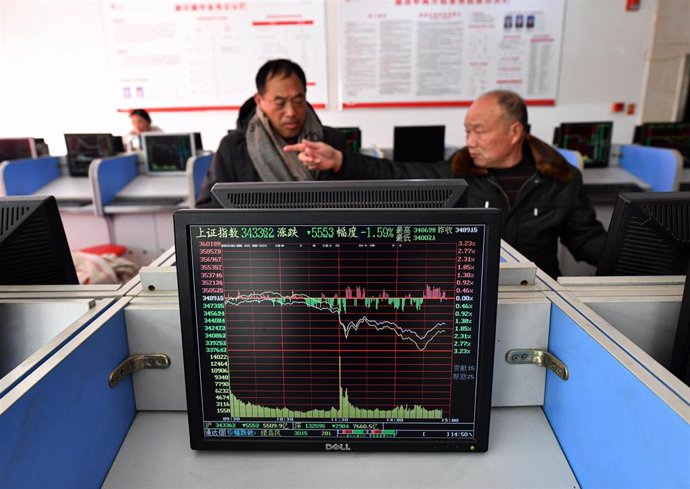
[68, 428]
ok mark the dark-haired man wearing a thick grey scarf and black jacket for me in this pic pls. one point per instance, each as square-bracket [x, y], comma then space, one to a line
[277, 115]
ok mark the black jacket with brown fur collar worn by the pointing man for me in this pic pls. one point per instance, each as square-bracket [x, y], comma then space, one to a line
[552, 204]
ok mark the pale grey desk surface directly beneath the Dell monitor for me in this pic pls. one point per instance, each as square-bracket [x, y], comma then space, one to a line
[523, 452]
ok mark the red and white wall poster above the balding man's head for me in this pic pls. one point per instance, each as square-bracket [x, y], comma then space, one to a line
[444, 53]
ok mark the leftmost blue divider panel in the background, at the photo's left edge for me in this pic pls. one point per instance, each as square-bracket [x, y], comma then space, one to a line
[26, 176]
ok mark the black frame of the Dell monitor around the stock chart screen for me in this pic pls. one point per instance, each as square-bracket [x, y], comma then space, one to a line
[491, 217]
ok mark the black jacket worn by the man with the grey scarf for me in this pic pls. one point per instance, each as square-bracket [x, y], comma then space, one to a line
[231, 162]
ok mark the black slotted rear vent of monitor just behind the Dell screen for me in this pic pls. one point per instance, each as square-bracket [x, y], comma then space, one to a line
[341, 199]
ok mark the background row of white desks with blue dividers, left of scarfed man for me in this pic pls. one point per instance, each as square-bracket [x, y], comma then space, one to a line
[116, 203]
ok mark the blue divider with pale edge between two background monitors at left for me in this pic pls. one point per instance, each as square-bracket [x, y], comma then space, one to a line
[109, 176]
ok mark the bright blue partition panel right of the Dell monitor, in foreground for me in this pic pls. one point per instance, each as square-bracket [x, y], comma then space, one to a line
[614, 431]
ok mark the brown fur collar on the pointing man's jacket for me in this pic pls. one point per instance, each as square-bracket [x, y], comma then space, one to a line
[549, 162]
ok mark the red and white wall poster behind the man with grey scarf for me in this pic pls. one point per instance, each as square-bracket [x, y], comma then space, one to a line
[195, 55]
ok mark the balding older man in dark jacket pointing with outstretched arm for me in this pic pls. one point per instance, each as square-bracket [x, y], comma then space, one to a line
[540, 194]
